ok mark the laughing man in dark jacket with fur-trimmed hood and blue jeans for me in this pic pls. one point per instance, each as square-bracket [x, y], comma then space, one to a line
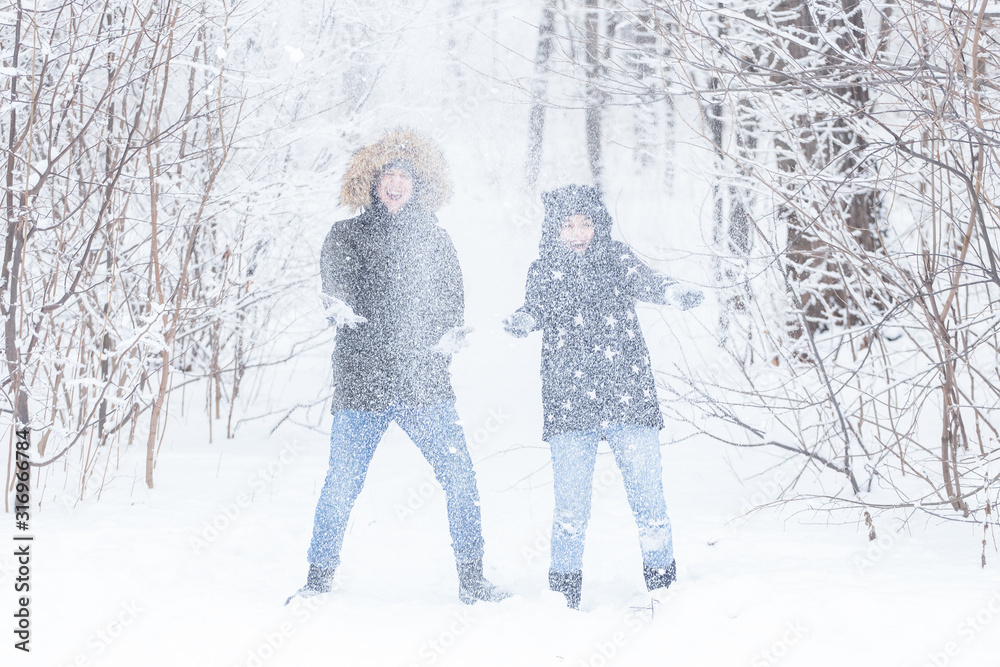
[394, 291]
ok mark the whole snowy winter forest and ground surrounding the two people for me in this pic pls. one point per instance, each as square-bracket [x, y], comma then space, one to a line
[826, 173]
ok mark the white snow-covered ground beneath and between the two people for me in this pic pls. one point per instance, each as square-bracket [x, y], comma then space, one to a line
[196, 571]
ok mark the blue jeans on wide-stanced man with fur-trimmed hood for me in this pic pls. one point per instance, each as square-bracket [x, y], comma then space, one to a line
[435, 430]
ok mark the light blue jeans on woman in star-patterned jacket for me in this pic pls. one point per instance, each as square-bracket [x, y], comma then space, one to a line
[637, 452]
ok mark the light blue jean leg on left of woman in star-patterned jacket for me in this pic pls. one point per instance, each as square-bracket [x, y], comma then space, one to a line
[573, 457]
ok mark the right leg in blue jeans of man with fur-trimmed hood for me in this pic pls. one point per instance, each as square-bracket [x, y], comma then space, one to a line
[435, 430]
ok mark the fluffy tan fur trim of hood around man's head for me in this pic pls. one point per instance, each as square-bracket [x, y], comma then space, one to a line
[432, 185]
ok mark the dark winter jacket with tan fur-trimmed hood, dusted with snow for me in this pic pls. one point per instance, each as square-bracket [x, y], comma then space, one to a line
[401, 273]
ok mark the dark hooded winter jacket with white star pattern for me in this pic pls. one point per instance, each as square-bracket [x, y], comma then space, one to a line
[595, 365]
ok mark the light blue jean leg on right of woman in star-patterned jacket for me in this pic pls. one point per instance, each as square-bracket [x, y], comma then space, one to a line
[637, 451]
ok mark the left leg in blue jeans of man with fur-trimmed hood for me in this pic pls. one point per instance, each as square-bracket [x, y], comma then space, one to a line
[353, 438]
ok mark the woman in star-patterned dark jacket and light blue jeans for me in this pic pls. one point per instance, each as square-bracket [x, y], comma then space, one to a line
[597, 383]
